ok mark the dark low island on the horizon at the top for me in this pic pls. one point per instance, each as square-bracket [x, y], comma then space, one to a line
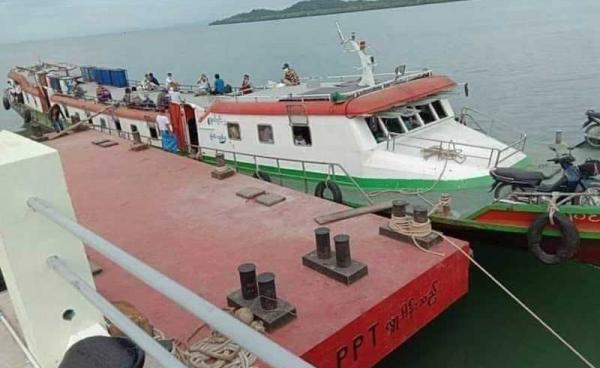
[312, 8]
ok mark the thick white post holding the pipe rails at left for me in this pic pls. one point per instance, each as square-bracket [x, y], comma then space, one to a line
[49, 311]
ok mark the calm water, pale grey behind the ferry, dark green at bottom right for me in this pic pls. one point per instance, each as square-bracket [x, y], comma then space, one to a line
[534, 65]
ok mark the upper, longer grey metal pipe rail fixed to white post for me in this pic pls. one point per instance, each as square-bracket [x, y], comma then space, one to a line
[248, 338]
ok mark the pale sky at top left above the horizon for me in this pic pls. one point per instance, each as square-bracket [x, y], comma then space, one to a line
[25, 20]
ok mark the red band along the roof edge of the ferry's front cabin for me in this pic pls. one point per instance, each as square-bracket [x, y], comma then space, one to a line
[370, 103]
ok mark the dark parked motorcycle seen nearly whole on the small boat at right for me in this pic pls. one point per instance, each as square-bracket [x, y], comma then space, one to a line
[574, 179]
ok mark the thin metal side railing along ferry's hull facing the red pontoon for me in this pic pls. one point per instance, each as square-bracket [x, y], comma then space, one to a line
[335, 171]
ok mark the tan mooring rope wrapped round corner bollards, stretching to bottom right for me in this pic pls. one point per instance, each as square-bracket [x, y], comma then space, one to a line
[409, 227]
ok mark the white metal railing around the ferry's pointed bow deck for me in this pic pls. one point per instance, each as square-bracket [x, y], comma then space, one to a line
[494, 156]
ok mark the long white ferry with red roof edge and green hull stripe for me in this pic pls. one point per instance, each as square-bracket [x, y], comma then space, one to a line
[370, 132]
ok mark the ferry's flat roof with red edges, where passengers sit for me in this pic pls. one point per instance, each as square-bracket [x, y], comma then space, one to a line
[330, 96]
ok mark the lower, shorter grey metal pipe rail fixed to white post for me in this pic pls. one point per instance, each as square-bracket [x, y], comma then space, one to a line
[139, 336]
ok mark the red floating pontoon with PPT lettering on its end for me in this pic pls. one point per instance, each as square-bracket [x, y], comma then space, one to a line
[168, 211]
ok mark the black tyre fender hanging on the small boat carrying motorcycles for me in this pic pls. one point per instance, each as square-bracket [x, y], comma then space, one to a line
[569, 239]
